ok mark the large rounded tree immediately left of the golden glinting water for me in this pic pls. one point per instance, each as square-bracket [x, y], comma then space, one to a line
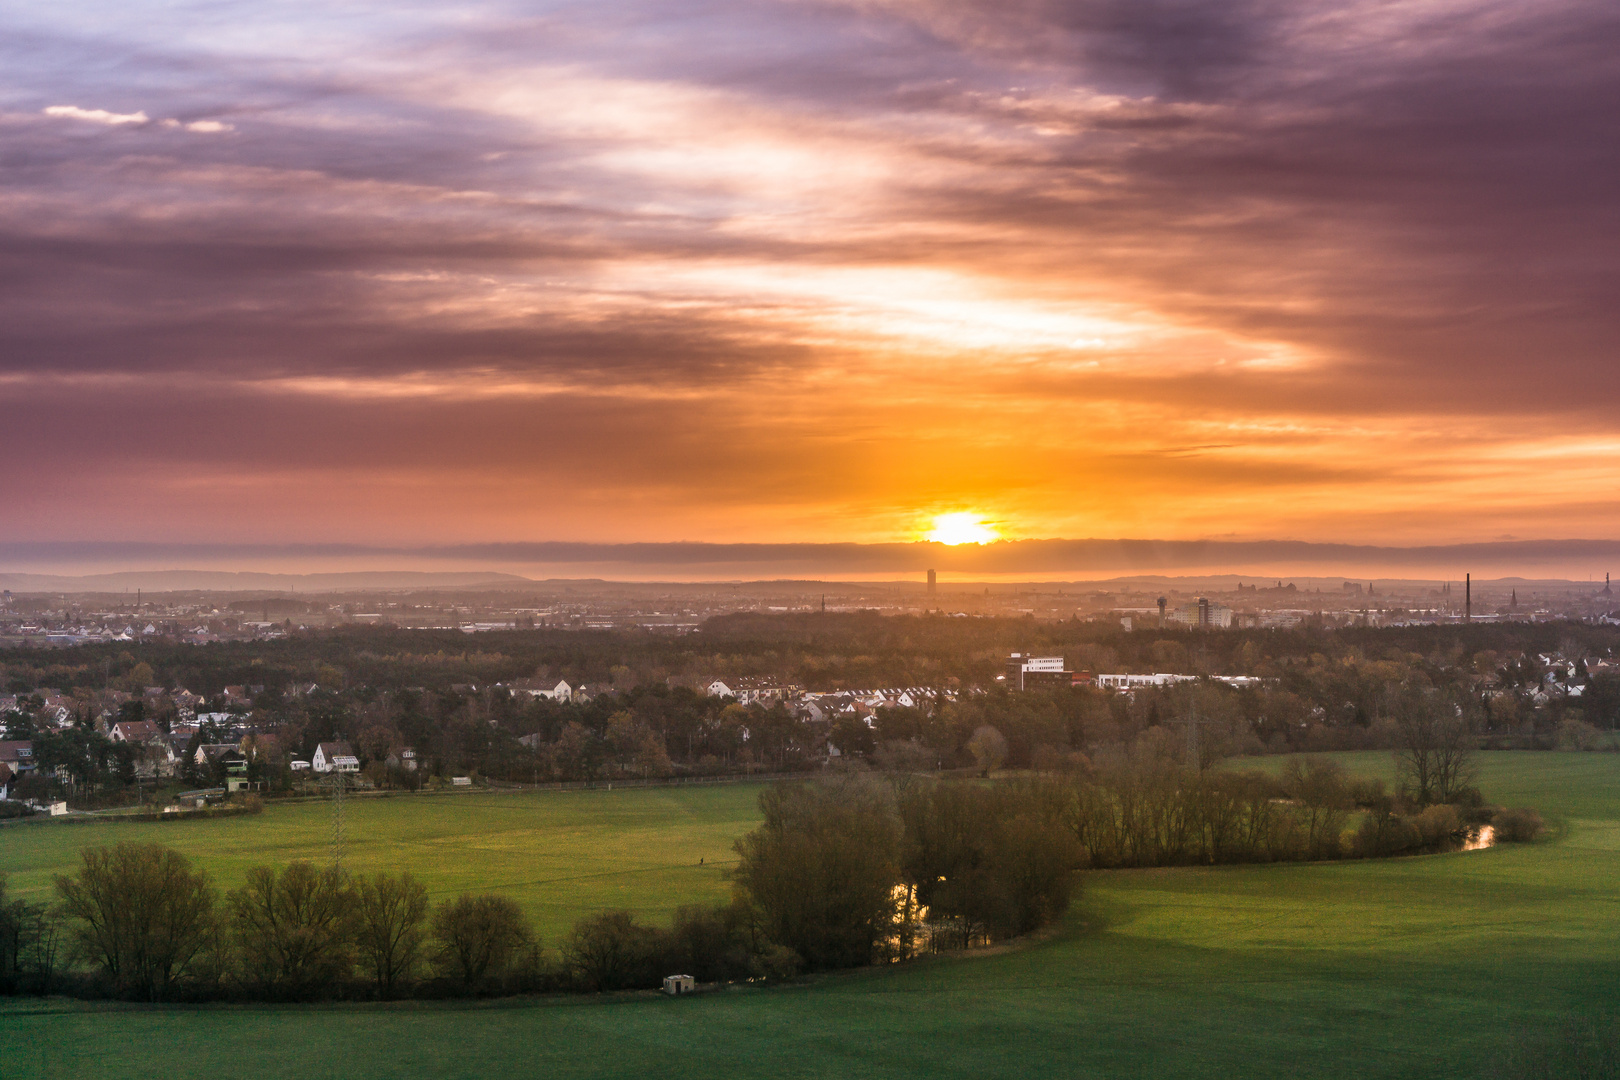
[822, 869]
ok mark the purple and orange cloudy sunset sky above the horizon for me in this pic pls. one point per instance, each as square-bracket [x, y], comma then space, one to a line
[809, 271]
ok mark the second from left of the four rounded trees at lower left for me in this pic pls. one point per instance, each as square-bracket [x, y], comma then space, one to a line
[296, 929]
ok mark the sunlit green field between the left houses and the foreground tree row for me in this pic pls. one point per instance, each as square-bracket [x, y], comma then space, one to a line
[558, 854]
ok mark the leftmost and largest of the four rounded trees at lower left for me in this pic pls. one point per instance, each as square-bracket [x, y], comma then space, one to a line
[140, 914]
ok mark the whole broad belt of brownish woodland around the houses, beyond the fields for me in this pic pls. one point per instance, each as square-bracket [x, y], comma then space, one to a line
[435, 692]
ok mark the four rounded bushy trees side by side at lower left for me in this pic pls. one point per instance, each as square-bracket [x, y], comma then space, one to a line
[151, 925]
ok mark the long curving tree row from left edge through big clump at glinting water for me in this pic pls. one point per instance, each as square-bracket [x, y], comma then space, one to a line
[843, 874]
